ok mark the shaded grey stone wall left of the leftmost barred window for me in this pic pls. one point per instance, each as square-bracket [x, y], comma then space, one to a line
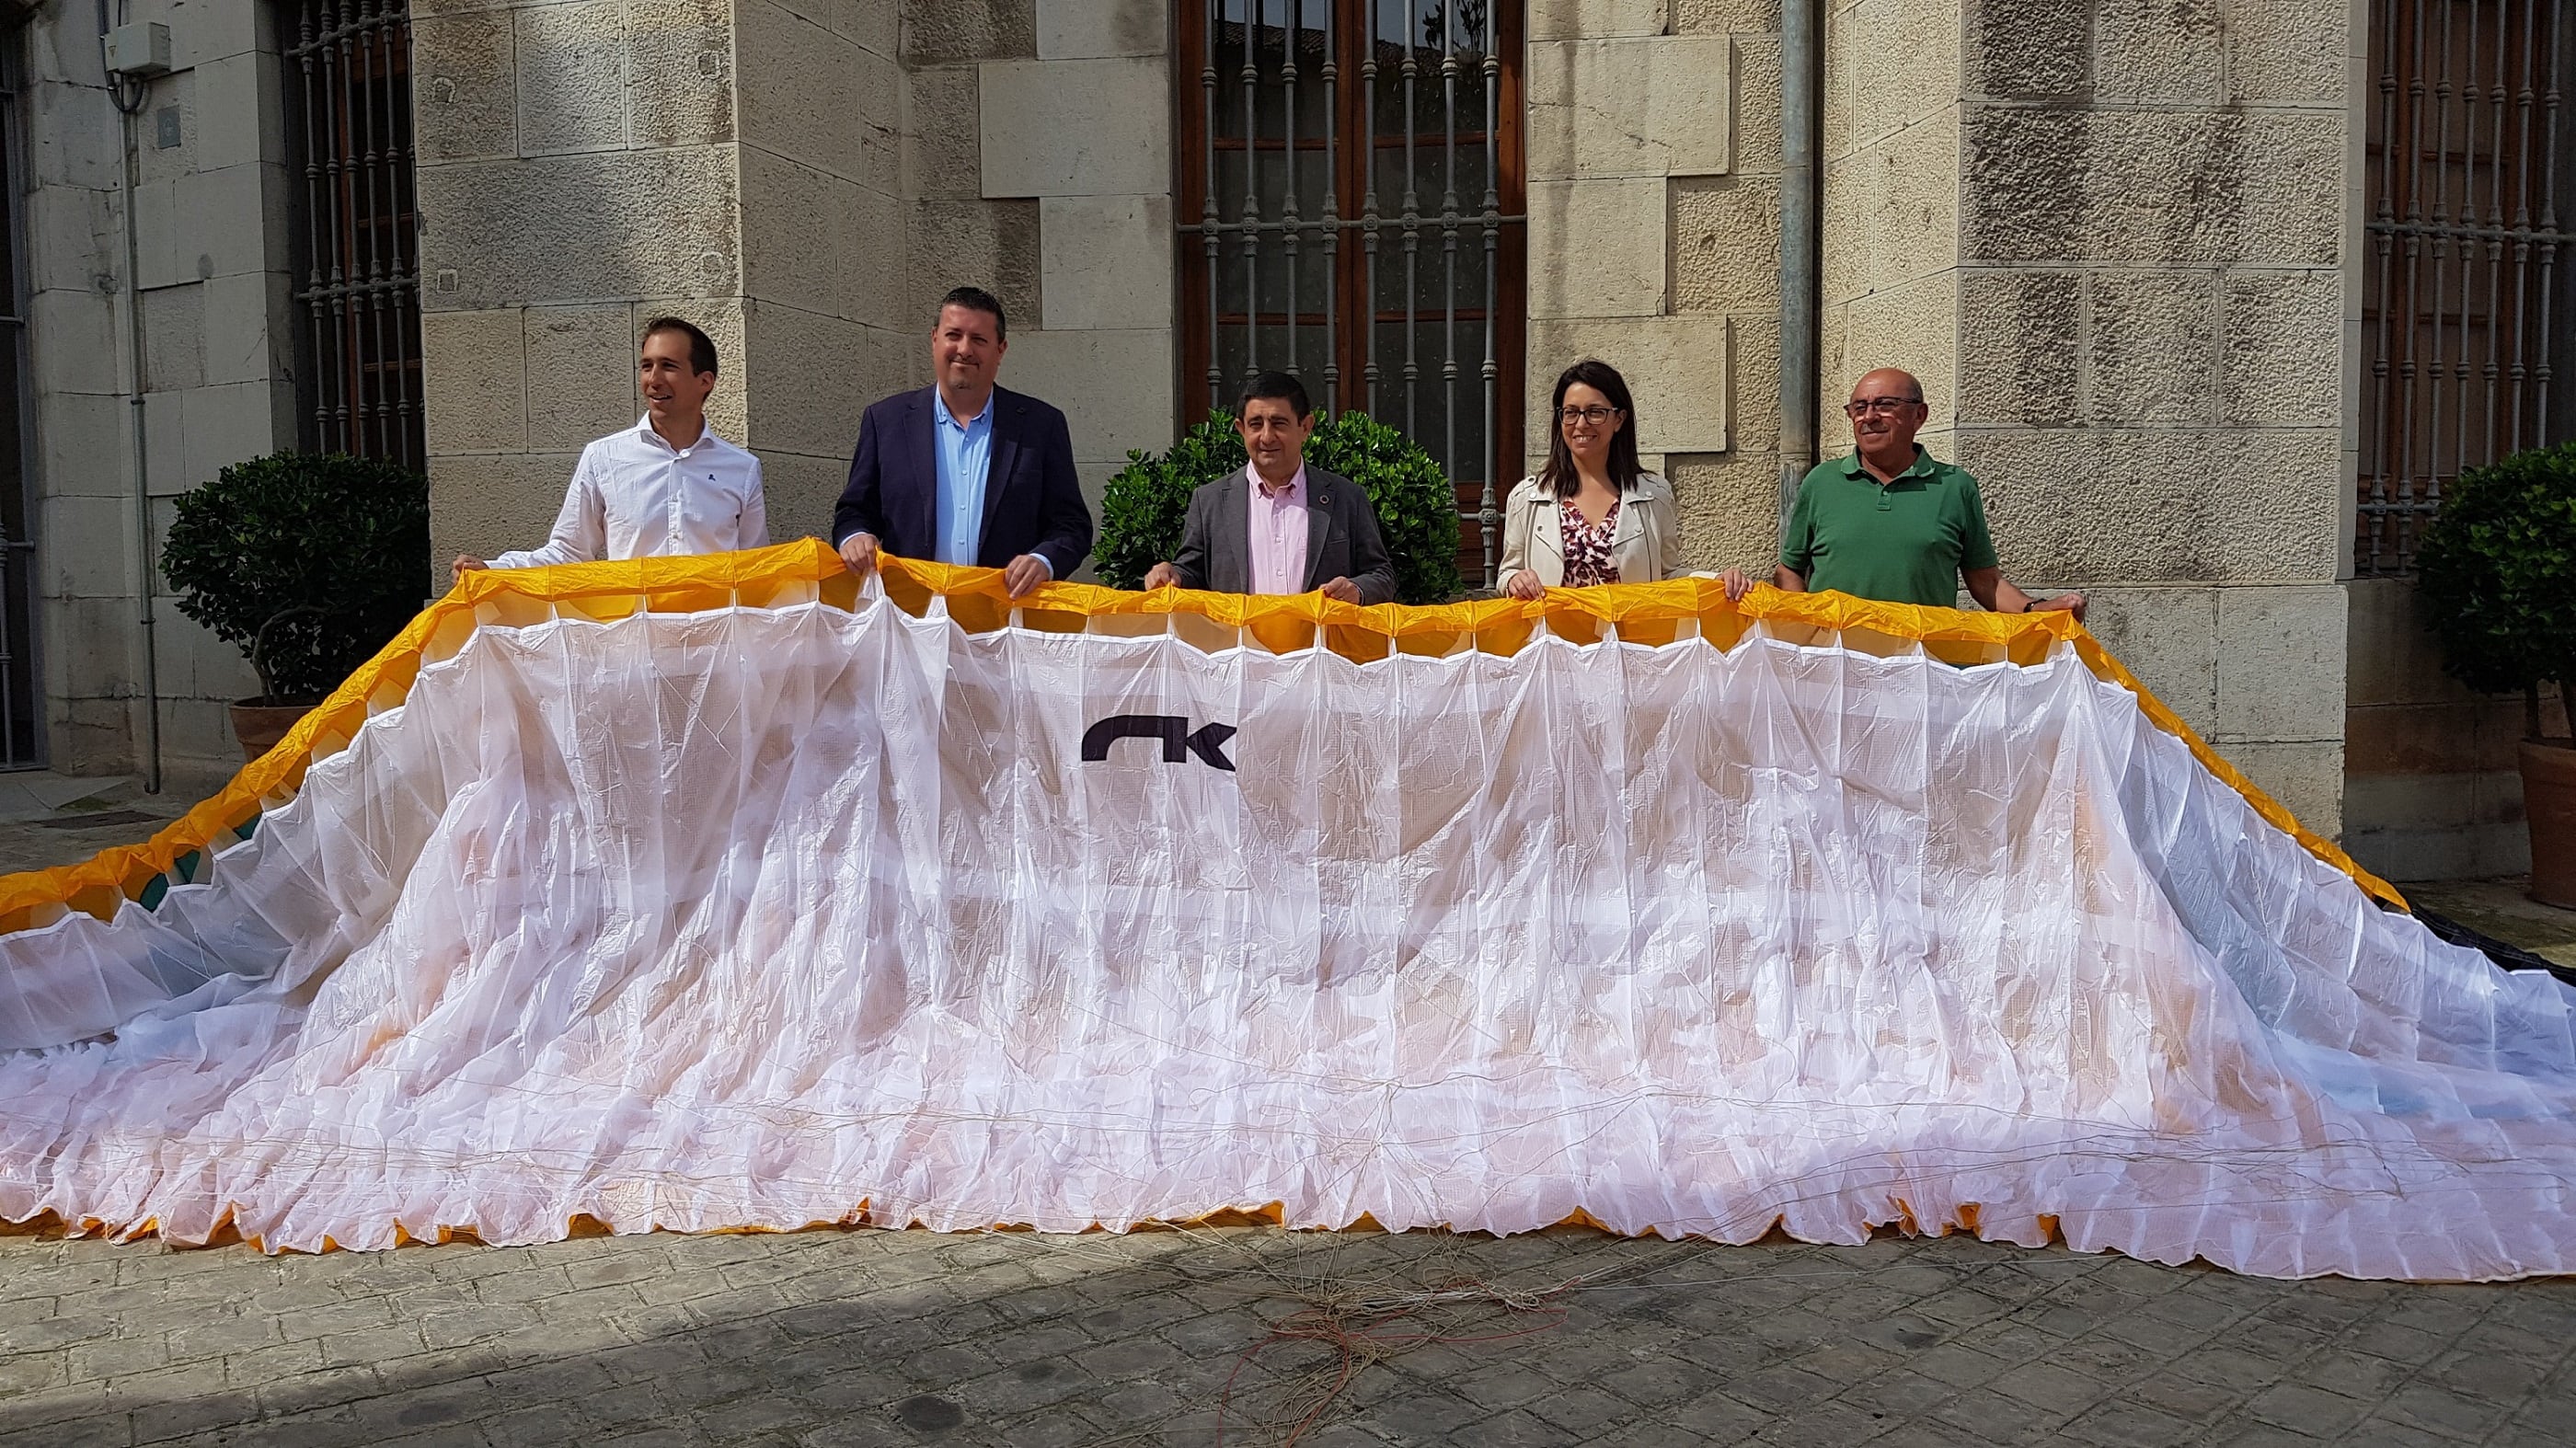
[213, 269]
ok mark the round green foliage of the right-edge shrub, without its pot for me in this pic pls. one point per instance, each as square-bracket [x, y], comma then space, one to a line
[2497, 576]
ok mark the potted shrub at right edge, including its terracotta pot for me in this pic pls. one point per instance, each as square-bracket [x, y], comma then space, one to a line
[2497, 576]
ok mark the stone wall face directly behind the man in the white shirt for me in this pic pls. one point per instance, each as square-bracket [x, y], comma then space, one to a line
[581, 171]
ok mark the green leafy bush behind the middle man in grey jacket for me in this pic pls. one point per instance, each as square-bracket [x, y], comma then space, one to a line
[1418, 511]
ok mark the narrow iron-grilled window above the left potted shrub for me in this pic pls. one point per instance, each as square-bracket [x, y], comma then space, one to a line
[352, 115]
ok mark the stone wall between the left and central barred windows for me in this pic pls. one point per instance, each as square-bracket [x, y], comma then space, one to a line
[805, 182]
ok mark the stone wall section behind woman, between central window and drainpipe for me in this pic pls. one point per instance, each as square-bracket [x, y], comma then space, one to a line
[1655, 243]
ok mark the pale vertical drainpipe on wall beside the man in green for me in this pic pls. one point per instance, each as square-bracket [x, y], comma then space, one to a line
[1802, 184]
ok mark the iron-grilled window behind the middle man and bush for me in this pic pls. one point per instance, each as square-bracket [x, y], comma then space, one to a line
[1351, 210]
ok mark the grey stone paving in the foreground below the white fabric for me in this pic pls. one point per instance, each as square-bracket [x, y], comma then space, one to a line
[1176, 1338]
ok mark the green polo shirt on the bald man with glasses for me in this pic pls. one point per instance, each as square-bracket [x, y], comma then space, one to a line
[1900, 542]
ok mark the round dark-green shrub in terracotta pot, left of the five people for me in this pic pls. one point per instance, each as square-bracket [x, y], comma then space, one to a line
[308, 563]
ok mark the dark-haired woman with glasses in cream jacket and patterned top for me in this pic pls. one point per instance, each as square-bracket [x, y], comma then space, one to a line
[1593, 514]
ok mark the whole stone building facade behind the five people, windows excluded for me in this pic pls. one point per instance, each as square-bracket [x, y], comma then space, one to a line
[2124, 246]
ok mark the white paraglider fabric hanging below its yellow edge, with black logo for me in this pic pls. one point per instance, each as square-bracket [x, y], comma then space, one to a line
[787, 916]
